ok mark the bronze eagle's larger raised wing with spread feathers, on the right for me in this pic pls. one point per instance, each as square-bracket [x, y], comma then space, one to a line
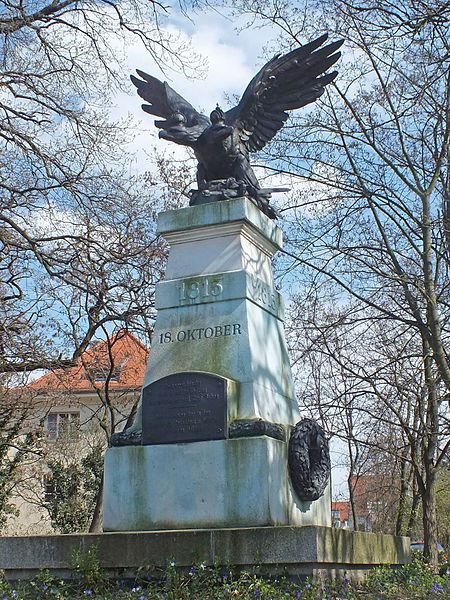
[284, 83]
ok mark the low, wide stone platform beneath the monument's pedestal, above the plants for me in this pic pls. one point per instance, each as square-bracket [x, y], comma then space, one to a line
[296, 549]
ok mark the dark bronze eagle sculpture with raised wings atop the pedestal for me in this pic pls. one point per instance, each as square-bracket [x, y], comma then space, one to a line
[222, 142]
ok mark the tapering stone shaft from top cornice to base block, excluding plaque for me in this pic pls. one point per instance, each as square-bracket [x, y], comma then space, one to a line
[224, 318]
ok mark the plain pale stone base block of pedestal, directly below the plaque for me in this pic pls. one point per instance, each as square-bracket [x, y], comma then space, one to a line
[239, 482]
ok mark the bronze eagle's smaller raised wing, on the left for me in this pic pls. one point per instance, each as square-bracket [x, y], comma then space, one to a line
[182, 124]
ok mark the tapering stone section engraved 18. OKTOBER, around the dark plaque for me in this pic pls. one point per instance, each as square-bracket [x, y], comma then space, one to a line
[234, 339]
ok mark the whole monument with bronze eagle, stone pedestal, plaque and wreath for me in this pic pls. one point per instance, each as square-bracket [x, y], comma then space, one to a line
[218, 440]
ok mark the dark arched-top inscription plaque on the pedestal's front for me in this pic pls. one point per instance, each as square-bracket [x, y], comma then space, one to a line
[185, 407]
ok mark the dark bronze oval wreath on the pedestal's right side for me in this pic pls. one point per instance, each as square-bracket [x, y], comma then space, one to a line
[309, 459]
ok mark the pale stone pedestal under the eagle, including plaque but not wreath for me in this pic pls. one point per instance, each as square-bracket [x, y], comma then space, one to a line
[219, 315]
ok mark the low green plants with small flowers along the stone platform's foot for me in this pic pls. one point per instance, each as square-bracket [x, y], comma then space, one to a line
[200, 582]
